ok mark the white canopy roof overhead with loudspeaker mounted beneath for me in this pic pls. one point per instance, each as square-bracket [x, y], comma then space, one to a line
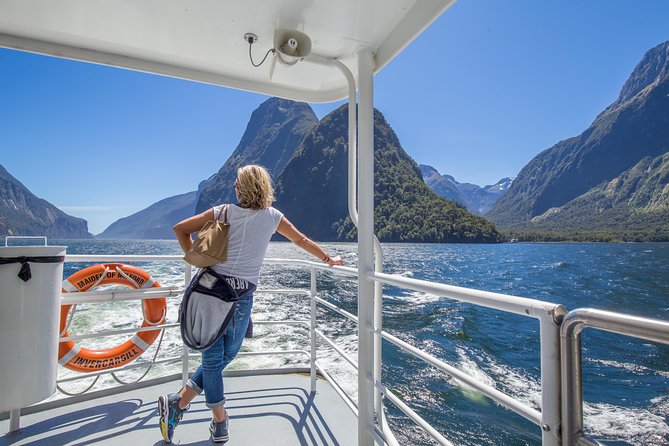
[203, 40]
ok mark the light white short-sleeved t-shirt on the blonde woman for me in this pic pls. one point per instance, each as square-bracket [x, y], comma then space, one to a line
[250, 232]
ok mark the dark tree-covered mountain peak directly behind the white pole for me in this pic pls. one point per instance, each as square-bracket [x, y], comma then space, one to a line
[315, 179]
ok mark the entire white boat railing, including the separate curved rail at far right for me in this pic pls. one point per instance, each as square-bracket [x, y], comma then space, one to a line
[561, 379]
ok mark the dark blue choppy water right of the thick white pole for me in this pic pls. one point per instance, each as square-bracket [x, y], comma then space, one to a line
[625, 380]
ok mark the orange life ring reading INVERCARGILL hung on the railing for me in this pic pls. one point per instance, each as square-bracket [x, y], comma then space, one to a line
[82, 359]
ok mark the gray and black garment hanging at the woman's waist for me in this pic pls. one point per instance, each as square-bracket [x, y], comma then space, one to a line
[207, 308]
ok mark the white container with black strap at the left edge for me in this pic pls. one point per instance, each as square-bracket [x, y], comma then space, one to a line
[29, 322]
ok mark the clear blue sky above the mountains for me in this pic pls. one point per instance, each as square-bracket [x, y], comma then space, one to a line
[481, 92]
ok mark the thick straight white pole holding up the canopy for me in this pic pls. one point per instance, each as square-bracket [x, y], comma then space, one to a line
[365, 247]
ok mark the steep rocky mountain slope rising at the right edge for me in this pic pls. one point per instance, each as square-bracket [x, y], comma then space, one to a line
[634, 128]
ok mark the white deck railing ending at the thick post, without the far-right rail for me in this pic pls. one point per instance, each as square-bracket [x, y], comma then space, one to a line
[548, 314]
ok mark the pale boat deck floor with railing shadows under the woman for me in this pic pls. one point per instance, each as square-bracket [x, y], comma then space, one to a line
[275, 409]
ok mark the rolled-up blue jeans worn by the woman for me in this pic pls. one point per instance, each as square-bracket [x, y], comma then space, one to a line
[209, 376]
